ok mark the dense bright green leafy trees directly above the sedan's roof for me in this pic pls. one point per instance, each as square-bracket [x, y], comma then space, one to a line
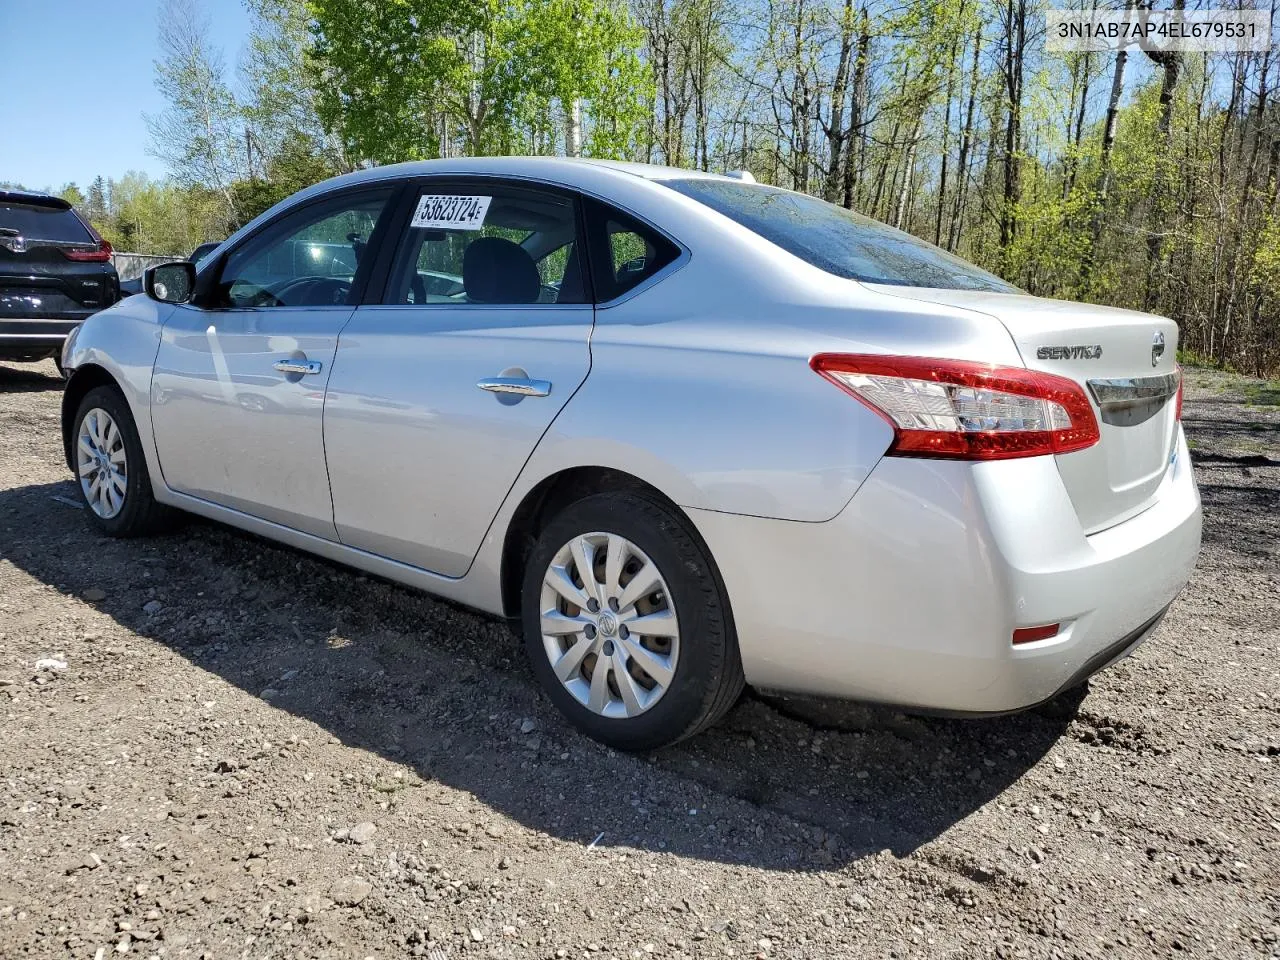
[410, 79]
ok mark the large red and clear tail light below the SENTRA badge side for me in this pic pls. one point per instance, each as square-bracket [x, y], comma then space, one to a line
[961, 410]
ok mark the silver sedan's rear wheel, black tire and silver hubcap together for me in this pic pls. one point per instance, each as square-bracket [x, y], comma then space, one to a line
[628, 625]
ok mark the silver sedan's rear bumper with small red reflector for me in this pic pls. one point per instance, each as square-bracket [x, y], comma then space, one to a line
[912, 595]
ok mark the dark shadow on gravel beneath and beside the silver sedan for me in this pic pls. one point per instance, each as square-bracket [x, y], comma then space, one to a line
[784, 785]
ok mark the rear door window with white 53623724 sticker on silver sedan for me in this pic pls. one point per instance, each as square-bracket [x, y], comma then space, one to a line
[490, 245]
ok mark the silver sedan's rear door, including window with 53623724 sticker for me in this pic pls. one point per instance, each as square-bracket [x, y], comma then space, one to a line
[442, 391]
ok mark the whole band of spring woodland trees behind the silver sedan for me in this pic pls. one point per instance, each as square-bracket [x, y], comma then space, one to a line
[947, 117]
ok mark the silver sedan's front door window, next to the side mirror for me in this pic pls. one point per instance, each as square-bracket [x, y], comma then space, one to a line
[308, 259]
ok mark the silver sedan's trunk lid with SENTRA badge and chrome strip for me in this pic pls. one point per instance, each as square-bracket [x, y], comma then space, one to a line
[1126, 363]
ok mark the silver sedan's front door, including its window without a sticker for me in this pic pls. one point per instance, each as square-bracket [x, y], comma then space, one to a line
[240, 378]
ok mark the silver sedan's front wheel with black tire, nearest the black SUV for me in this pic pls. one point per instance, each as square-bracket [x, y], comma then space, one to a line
[112, 470]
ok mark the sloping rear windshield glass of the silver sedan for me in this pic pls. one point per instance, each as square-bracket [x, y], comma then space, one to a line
[836, 240]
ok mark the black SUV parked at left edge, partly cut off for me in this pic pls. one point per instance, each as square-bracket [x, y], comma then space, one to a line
[54, 272]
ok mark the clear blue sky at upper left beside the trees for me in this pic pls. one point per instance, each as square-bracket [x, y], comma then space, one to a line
[76, 77]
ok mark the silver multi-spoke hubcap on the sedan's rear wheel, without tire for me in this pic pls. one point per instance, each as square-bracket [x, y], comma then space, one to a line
[609, 624]
